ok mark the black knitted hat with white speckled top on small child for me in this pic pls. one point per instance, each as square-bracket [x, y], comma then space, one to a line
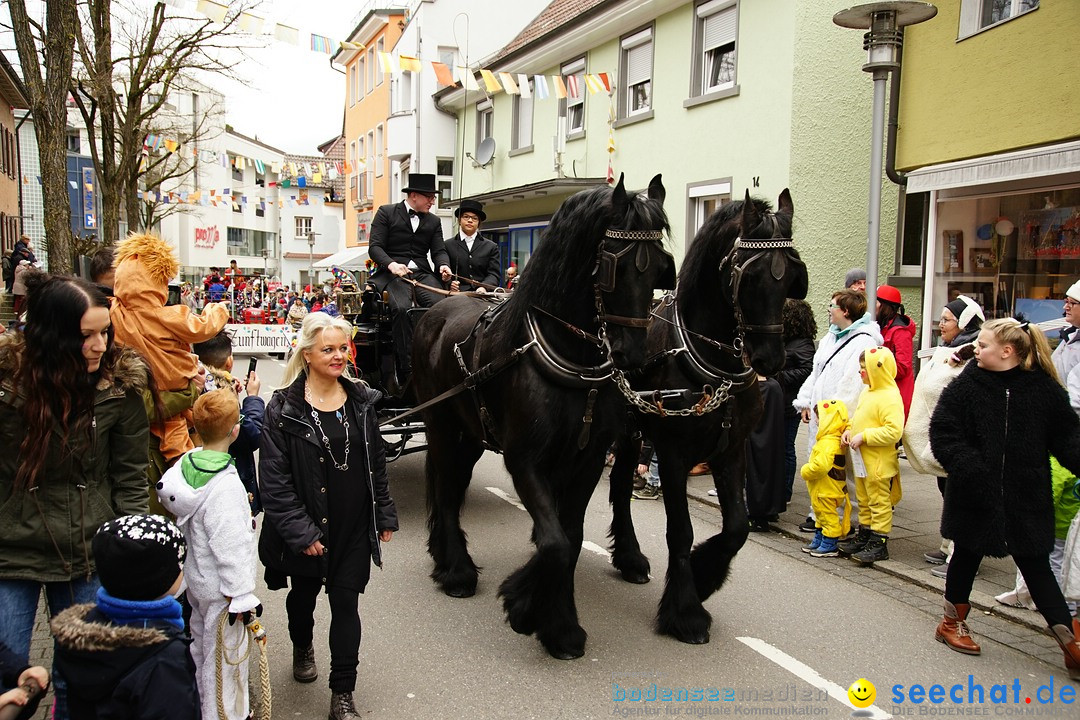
[139, 558]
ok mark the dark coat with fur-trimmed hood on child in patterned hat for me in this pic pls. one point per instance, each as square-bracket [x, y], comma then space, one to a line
[125, 672]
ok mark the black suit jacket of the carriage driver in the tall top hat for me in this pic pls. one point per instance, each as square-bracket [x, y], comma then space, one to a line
[393, 239]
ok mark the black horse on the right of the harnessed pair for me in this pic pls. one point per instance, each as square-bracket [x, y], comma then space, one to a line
[727, 307]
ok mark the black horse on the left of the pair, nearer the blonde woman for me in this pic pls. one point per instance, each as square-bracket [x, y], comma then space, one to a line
[541, 366]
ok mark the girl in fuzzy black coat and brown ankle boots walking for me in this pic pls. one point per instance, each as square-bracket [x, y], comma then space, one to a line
[994, 431]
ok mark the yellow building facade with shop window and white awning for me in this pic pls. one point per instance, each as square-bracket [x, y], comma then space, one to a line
[991, 140]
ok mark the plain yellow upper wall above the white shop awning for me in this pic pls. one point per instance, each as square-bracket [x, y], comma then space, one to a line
[1010, 87]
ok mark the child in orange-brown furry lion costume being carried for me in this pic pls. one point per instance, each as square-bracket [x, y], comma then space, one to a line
[161, 335]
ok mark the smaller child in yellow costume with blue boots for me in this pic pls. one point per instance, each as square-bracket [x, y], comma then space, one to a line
[825, 476]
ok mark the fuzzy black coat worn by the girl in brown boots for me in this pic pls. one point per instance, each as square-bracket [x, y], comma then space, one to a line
[994, 433]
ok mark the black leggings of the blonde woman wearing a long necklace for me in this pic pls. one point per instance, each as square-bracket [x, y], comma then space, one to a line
[345, 628]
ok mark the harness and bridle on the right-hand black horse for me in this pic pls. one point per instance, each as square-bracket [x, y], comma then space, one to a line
[718, 385]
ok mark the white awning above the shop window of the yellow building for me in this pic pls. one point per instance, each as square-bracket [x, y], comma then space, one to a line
[1034, 162]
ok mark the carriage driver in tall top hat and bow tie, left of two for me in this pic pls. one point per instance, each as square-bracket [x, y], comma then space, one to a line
[402, 237]
